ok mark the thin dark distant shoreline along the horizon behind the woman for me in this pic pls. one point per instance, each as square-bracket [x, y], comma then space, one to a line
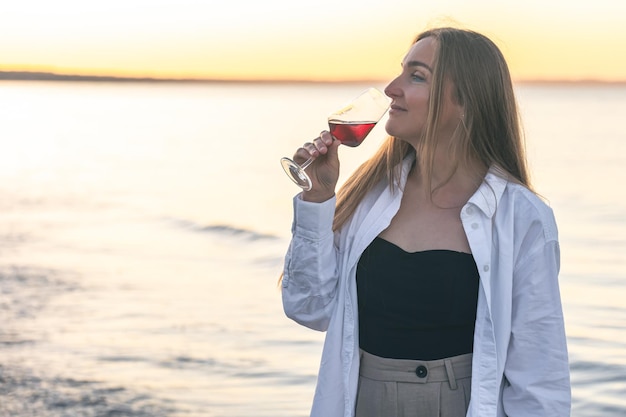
[51, 76]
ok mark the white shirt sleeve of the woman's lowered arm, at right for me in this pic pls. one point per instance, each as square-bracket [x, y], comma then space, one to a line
[537, 381]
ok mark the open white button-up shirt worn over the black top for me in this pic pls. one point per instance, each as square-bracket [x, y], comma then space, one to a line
[520, 365]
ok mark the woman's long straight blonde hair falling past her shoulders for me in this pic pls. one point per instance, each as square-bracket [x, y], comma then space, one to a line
[491, 133]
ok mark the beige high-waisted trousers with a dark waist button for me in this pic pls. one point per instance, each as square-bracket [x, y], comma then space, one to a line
[411, 388]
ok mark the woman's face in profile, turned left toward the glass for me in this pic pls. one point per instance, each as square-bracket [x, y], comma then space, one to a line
[410, 93]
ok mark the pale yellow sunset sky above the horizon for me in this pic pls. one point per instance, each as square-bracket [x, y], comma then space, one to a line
[293, 39]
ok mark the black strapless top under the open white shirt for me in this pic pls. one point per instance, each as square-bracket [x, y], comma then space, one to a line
[419, 305]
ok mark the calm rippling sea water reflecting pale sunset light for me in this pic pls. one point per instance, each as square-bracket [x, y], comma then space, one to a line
[143, 227]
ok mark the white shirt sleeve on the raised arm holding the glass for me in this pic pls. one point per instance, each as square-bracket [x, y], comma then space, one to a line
[310, 274]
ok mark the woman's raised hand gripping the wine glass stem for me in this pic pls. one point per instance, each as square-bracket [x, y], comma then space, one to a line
[324, 171]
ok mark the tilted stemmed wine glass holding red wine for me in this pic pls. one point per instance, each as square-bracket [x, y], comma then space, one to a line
[349, 125]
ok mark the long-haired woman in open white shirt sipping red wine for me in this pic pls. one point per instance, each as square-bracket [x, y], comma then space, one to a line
[435, 271]
